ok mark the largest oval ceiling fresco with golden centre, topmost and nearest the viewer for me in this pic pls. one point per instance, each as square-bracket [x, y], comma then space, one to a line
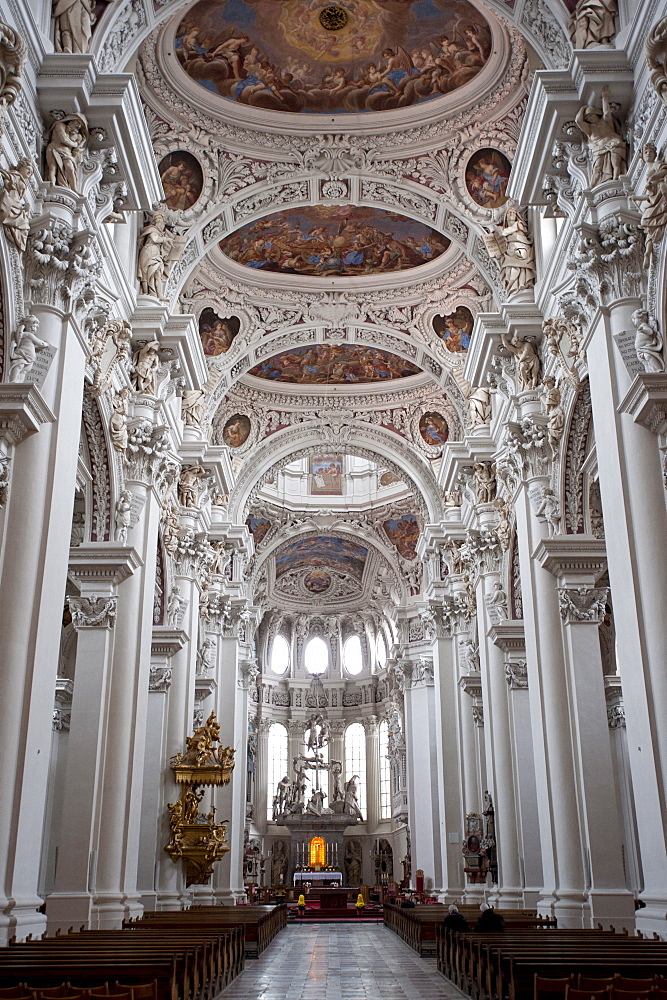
[323, 56]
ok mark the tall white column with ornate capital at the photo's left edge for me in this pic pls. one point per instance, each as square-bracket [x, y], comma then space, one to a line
[34, 566]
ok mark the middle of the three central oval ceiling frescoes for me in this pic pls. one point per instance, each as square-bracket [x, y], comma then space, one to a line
[334, 241]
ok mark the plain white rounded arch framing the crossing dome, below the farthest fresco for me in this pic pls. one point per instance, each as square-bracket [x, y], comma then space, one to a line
[374, 443]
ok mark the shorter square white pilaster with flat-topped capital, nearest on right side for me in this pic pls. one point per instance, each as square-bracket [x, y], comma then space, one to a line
[577, 562]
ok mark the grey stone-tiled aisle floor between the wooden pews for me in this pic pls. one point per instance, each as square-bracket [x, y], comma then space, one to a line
[340, 962]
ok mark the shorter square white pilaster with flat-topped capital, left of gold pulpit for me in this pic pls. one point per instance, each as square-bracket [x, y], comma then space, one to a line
[98, 568]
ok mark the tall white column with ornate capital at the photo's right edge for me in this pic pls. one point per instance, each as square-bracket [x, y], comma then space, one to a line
[633, 502]
